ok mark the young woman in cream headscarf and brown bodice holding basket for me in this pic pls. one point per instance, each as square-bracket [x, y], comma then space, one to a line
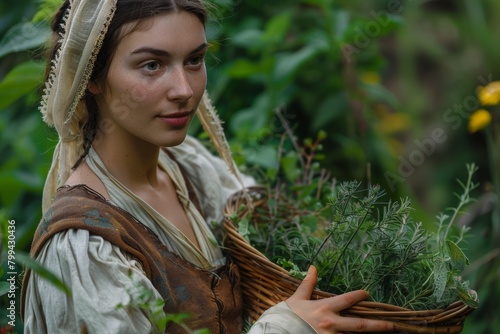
[136, 196]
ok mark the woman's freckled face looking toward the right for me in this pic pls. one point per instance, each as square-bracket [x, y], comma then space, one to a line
[155, 81]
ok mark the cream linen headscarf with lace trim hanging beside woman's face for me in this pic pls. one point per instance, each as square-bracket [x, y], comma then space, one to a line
[84, 27]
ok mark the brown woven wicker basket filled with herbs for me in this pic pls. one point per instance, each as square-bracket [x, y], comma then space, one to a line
[264, 283]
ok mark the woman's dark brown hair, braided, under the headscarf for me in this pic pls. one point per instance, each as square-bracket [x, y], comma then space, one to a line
[127, 11]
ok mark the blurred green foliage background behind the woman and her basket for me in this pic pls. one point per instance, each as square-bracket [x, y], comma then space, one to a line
[379, 77]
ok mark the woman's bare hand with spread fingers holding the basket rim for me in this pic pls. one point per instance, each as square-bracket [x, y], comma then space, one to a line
[323, 315]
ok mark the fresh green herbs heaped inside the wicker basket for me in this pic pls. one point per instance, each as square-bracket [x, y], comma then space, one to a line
[358, 241]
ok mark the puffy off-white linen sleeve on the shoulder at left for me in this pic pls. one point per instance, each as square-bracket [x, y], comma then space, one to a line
[103, 282]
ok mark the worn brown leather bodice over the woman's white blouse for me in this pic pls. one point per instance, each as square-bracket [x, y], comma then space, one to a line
[212, 298]
